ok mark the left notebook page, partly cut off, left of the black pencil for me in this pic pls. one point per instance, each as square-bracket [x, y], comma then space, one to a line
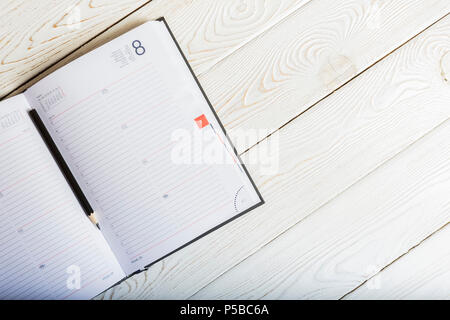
[49, 249]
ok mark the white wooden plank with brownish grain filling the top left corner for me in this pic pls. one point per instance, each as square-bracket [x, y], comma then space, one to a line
[36, 34]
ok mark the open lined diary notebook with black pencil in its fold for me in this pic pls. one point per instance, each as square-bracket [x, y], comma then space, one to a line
[118, 116]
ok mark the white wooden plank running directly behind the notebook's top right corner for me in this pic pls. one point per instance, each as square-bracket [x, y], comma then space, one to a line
[208, 31]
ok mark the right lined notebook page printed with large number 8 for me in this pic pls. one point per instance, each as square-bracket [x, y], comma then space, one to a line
[128, 118]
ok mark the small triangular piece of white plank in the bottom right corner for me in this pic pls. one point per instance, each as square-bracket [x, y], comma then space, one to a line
[424, 273]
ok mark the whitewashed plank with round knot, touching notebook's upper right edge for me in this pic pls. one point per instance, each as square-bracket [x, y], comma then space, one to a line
[308, 56]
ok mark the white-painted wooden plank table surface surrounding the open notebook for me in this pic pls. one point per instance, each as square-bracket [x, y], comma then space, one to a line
[356, 97]
